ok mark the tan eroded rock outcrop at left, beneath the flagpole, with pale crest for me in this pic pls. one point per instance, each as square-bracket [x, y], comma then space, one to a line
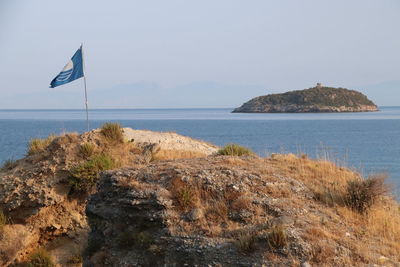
[39, 201]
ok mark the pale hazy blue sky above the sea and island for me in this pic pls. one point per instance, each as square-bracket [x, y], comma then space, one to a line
[192, 54]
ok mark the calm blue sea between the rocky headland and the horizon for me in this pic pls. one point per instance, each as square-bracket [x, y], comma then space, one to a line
[367, 141]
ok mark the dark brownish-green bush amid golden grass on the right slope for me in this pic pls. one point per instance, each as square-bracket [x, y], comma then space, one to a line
[361, 194]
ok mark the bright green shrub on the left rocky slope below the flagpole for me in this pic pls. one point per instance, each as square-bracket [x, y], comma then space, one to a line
[84, 176]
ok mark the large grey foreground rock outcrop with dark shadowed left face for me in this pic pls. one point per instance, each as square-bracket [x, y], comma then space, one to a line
[220, 211]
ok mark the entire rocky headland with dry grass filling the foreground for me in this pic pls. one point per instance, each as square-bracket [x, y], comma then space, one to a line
[123, 197]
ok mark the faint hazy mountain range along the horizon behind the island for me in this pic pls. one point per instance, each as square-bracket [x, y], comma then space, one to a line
[152, 95]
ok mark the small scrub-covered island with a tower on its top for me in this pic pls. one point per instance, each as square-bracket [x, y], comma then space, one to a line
[316, 99]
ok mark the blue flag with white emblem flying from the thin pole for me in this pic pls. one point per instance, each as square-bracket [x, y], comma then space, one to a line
[72, 71]
